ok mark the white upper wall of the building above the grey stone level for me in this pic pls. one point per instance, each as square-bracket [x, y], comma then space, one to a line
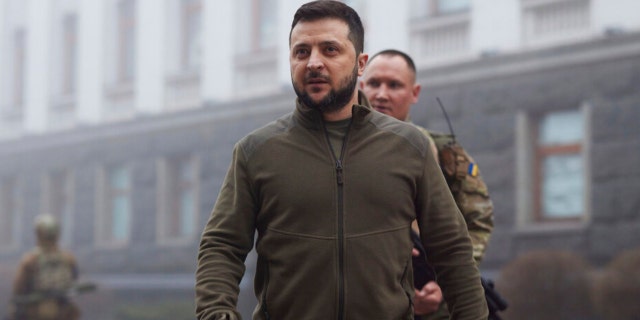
[233, 65]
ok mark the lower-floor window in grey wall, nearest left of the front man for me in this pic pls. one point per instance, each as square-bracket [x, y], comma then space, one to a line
[178, 198]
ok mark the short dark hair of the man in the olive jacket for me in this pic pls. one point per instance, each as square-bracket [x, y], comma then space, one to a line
[323, 9]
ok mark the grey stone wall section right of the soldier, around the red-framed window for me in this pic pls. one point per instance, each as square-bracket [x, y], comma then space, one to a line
[484, 101]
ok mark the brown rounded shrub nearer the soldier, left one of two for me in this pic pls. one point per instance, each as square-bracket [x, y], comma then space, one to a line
[546, 284]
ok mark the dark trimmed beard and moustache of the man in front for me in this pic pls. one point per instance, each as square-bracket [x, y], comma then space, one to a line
[335, 99]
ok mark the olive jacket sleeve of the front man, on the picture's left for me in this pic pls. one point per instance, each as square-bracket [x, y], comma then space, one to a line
[225, 243]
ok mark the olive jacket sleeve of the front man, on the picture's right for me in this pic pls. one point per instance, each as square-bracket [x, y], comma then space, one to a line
[446, 240]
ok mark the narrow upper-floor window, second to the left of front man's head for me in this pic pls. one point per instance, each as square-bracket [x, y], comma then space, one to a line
[191, 33]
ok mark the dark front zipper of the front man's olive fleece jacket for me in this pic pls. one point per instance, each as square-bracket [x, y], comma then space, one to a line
[340, 182]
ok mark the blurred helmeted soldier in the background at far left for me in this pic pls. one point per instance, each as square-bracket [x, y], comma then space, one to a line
[45, 277]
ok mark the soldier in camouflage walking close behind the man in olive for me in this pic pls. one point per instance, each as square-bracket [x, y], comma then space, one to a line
[389, 83]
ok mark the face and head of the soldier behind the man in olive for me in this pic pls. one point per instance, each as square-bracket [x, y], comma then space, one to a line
[390, 86]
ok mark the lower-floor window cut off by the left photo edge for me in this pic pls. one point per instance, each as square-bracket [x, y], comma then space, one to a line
[9, 212]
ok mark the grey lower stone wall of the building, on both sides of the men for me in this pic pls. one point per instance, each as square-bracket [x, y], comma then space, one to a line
[483, 112]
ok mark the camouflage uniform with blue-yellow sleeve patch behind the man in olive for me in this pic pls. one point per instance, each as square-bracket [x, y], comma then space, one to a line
[471, 195]
